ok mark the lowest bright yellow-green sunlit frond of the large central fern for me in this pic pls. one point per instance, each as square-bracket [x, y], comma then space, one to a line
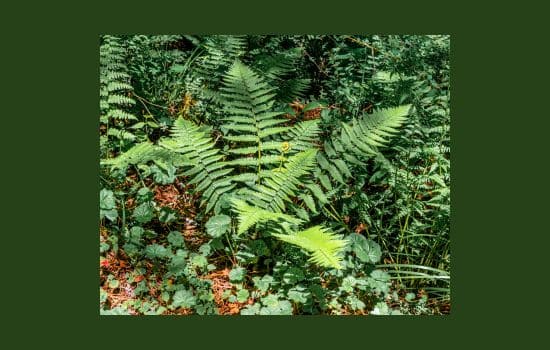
[325, 248]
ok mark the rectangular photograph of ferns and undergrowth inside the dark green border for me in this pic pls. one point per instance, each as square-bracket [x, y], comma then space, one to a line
[274, 175]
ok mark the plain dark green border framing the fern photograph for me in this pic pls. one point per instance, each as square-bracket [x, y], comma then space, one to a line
[51, 160]
